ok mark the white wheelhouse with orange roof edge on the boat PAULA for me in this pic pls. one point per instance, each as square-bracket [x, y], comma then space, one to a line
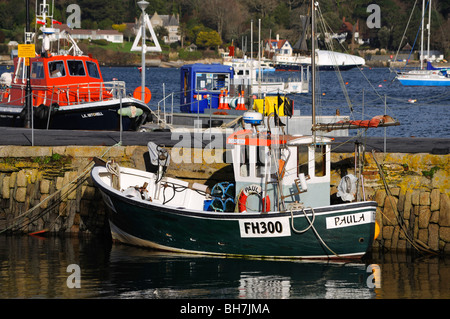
[279, 169]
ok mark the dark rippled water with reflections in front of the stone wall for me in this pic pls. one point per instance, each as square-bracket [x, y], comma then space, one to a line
[37, 268]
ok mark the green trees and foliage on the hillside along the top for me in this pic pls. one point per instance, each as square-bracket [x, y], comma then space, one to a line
[281, 16]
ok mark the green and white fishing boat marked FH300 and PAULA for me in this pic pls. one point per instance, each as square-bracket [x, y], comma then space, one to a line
[276, 205]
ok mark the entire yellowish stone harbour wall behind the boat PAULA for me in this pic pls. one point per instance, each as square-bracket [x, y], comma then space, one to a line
[49, 189]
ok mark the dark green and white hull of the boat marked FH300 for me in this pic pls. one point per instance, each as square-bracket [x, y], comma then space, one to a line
[335, 231]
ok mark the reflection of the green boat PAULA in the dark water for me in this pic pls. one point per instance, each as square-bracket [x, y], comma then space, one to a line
[168, 275]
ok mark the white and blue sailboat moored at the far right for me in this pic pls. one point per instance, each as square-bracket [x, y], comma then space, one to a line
[429, 76]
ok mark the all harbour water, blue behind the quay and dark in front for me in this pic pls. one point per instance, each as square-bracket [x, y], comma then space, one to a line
[49, 267]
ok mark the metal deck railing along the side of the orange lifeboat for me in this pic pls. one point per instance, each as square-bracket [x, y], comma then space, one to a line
[74, 94]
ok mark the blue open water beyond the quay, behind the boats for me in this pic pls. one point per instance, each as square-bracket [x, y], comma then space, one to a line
[358, 93]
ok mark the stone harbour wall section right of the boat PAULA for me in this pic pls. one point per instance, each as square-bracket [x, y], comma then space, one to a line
[412, 192]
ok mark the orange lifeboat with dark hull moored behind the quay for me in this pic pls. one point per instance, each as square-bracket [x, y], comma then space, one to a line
[67, 88]
